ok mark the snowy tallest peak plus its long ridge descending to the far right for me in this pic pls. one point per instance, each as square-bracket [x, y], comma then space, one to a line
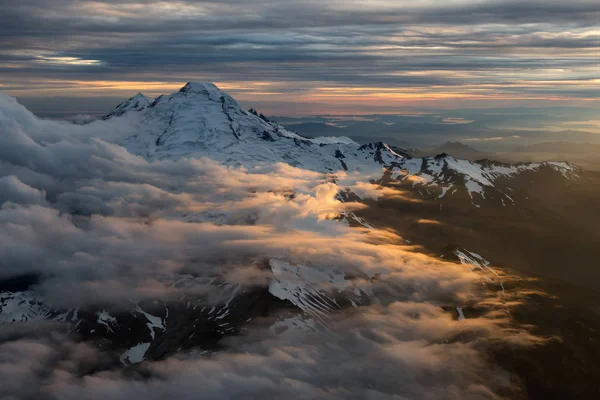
[202, 120]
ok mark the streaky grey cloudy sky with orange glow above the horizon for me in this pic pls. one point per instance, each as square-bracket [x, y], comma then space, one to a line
[292, 57]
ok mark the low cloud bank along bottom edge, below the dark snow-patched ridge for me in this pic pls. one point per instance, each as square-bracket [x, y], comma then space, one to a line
[400, 350]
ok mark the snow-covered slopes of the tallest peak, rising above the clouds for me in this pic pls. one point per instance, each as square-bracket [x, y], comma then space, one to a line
[201, 120]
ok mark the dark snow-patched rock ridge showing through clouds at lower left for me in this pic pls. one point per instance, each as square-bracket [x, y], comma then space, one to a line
[163, 329]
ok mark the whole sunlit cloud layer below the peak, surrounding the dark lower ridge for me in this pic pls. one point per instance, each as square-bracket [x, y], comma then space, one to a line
[111, 229]
